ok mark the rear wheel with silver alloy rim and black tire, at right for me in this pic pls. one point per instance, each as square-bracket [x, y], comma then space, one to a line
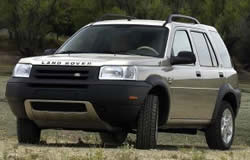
[214, 134]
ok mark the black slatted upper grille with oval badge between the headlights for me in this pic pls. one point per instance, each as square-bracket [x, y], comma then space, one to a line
[64, 72]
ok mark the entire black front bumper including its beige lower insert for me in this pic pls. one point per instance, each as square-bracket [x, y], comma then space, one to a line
[97, 107]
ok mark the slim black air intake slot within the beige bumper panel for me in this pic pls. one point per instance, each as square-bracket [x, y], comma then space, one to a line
[58, 107]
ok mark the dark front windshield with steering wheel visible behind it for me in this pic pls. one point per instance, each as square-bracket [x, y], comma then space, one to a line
[118, 39]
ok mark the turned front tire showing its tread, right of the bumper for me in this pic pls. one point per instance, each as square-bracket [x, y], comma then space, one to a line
[147, 124]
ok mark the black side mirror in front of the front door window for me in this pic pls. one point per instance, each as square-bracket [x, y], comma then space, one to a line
[184, 57]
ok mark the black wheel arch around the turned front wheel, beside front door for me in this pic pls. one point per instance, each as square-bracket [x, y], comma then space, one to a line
[160, 89]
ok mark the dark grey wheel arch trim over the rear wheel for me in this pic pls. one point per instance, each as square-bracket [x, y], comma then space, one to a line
[229, 94]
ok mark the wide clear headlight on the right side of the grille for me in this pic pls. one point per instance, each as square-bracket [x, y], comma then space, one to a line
[118, 73]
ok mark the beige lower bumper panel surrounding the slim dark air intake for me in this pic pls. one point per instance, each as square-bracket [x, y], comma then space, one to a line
[84, 116]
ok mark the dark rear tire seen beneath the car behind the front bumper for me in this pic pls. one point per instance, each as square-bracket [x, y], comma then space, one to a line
[113, 138]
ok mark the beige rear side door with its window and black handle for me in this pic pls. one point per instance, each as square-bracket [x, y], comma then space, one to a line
[211, 73]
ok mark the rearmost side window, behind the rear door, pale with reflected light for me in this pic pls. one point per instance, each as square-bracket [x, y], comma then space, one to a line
[222, 50]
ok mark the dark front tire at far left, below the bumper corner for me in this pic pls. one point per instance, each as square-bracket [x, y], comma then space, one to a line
[28, 132]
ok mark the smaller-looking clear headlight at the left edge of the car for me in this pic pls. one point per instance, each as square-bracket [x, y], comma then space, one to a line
[22, 70]
